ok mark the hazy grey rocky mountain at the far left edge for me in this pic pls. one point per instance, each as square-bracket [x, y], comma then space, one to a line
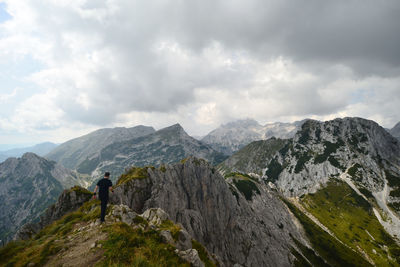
[28, 185]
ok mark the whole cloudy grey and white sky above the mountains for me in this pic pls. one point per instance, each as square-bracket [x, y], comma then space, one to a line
[68, 67]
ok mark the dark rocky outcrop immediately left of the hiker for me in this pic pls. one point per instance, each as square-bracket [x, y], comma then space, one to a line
[69, 200]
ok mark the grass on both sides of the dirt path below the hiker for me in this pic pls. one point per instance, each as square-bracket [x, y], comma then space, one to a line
[123, 246]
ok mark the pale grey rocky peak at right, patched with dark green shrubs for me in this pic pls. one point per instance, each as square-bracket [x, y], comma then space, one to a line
[321, 150]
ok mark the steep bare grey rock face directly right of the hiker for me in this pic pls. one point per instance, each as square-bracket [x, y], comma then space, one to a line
[252, 232]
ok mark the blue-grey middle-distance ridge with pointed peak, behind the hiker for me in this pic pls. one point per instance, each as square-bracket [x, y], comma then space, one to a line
[168, 145]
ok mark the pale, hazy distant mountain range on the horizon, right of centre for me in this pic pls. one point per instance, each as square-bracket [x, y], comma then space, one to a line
[231, 137]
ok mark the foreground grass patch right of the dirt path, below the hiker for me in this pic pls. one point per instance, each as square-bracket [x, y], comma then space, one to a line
[125, 246]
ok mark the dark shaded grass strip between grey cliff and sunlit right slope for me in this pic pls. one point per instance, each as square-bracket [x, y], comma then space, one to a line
[331, 250]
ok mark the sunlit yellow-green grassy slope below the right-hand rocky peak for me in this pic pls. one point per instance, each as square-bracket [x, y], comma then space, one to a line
[350, 217]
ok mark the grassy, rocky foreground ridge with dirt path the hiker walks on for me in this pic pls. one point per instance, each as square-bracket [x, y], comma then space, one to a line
[67, 236]
